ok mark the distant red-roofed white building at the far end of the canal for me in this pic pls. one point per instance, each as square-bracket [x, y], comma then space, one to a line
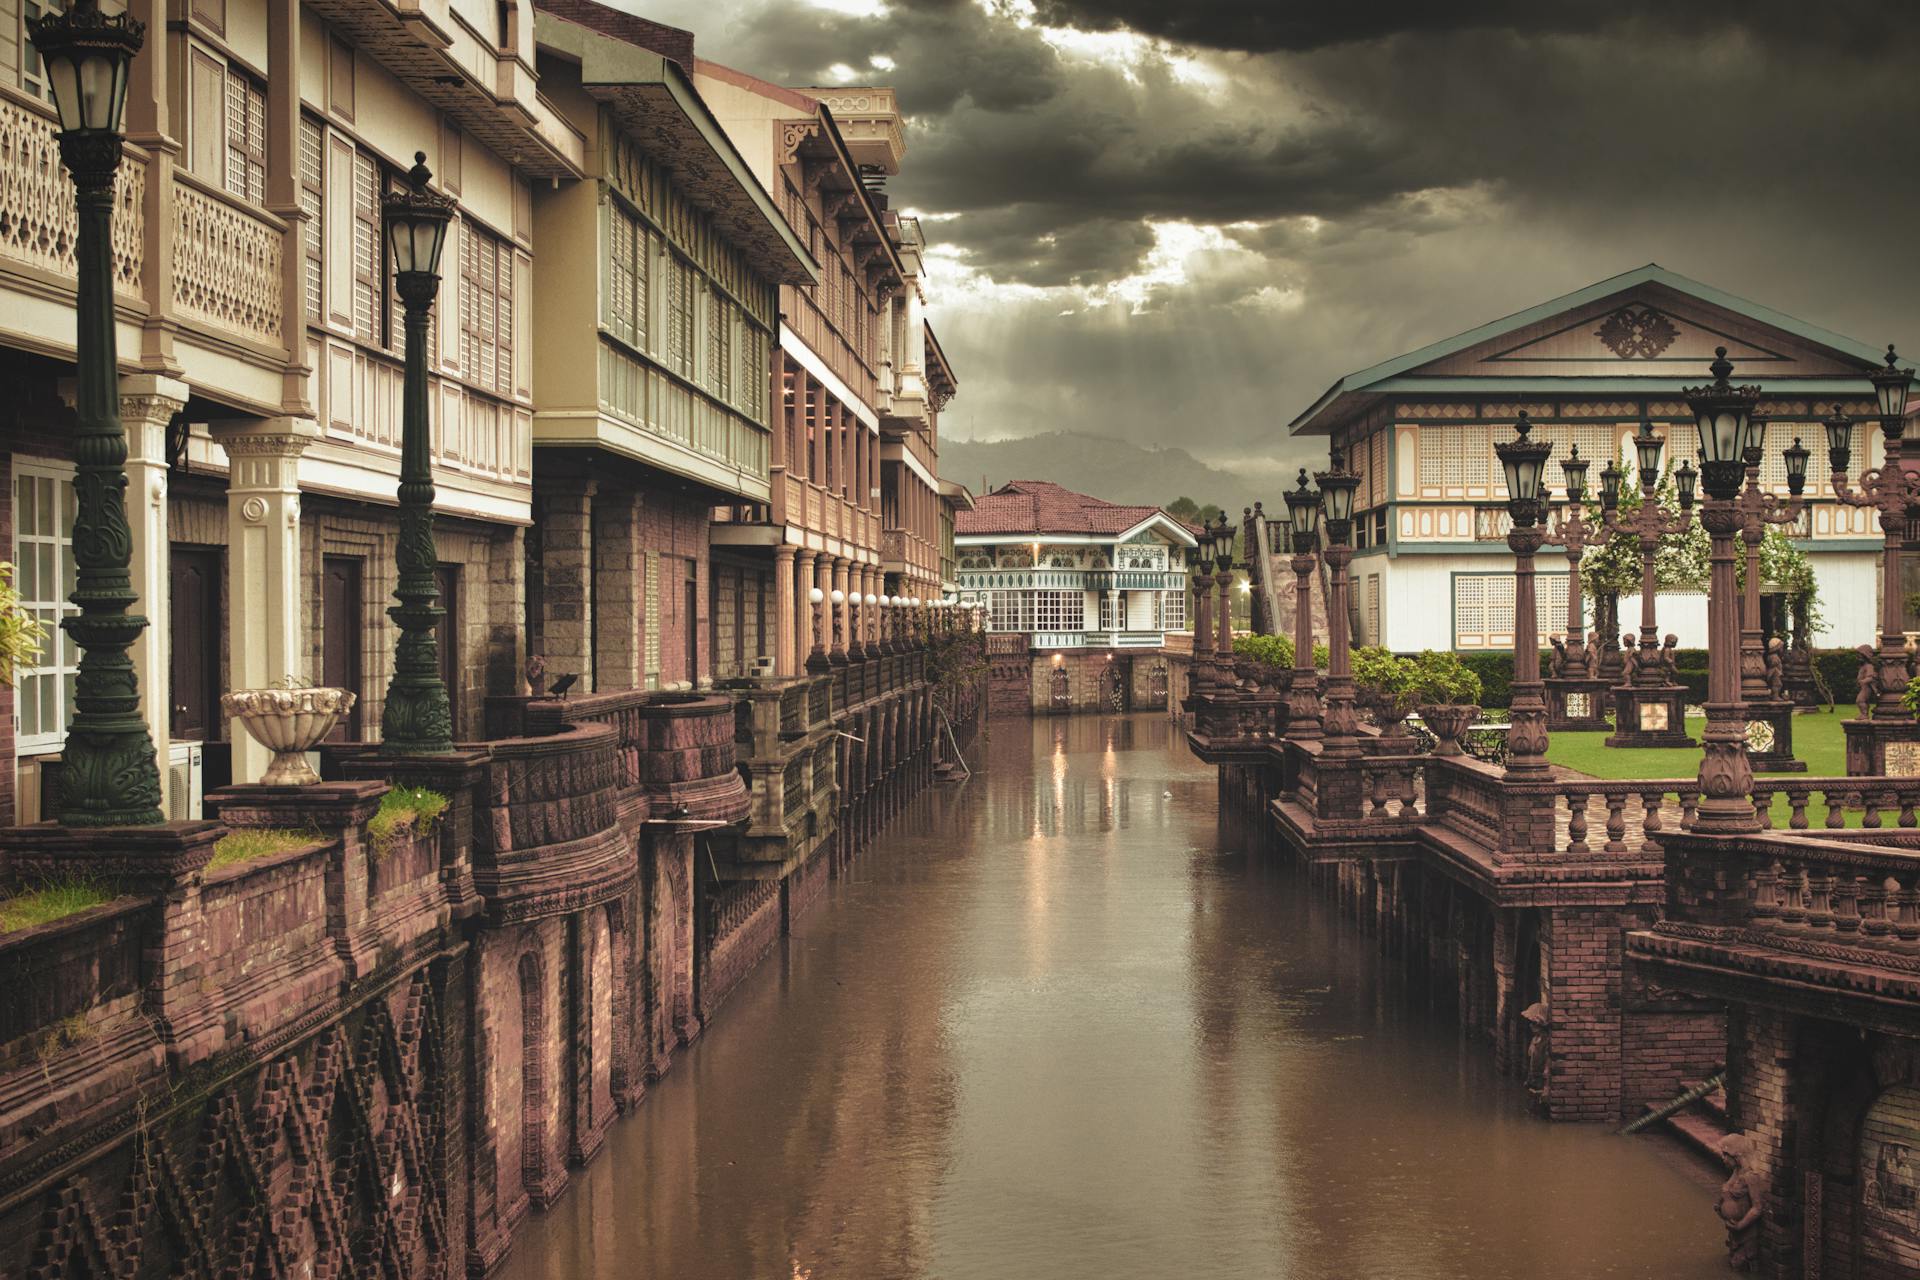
[1090, 588]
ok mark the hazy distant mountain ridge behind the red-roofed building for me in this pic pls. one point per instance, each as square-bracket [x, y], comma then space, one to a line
[1111, 469]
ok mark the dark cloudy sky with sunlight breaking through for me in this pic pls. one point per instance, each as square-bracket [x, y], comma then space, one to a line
[1176, 222]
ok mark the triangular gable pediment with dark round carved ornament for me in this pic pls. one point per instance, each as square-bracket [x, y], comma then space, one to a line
[1648, 331]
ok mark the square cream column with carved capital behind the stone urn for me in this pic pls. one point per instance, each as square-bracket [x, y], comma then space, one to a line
[264, 582]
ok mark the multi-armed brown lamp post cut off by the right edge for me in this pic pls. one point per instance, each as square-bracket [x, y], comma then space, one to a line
[1892, 490]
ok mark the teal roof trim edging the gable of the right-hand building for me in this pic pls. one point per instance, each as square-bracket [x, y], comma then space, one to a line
[1652, 273]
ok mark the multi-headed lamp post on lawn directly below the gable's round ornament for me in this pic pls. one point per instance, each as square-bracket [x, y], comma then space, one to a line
[1648, 707]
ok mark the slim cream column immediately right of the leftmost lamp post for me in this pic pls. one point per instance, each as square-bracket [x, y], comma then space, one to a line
[147, 408]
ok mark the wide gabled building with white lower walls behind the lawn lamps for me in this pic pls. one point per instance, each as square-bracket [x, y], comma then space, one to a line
[1433, 569]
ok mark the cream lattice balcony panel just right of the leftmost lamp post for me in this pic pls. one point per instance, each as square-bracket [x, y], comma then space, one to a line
[226, 262]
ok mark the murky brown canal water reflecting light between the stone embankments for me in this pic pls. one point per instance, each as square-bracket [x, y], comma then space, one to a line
[1061, 1028]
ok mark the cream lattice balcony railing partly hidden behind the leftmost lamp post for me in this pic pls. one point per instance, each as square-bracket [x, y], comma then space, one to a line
[37, 214]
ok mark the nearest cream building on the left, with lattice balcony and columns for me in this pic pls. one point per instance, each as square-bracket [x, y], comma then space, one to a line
[262, 356]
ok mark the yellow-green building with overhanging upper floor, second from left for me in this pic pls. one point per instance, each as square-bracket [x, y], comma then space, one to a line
[654, 331]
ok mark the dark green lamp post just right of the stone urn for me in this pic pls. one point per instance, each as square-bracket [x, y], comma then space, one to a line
[418, 719]
